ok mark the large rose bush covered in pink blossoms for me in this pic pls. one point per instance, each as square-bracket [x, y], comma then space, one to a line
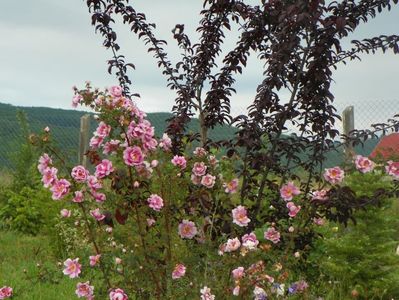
[169, 225]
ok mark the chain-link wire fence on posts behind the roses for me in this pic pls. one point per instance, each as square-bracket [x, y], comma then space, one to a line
[64, 125]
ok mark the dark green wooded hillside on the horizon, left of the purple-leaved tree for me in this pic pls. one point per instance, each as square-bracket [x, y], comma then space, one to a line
[64, 126]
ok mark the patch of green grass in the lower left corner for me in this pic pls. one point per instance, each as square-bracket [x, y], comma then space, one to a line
[19, 256]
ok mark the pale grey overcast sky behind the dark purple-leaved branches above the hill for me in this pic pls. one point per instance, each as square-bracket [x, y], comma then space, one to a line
[47, 46]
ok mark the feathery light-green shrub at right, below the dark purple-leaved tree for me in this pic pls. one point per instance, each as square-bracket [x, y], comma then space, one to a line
[362, 257]
